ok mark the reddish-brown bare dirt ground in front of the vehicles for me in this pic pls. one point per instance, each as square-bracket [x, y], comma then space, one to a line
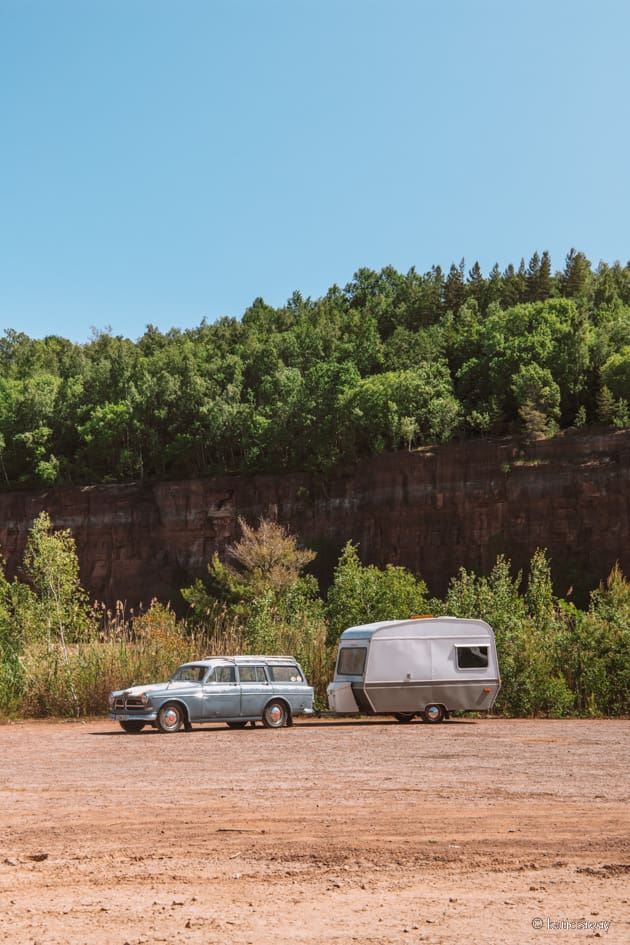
[485, 831]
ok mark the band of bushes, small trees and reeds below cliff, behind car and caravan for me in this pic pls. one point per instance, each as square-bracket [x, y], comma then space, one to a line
[59, 656]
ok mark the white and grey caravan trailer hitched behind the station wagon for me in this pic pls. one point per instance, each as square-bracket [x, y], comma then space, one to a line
[425, 666]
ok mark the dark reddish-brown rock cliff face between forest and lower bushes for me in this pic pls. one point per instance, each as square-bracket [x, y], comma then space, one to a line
[431, 510]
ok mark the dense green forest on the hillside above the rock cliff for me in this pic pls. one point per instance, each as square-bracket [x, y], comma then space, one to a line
[390, 361]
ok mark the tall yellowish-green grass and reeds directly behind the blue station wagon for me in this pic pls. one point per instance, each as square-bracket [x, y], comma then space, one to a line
[124, 649]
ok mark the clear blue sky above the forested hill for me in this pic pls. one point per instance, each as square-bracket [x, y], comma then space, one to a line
[165, 161]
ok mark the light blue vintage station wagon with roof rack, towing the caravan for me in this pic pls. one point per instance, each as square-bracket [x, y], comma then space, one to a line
[235, 690]
